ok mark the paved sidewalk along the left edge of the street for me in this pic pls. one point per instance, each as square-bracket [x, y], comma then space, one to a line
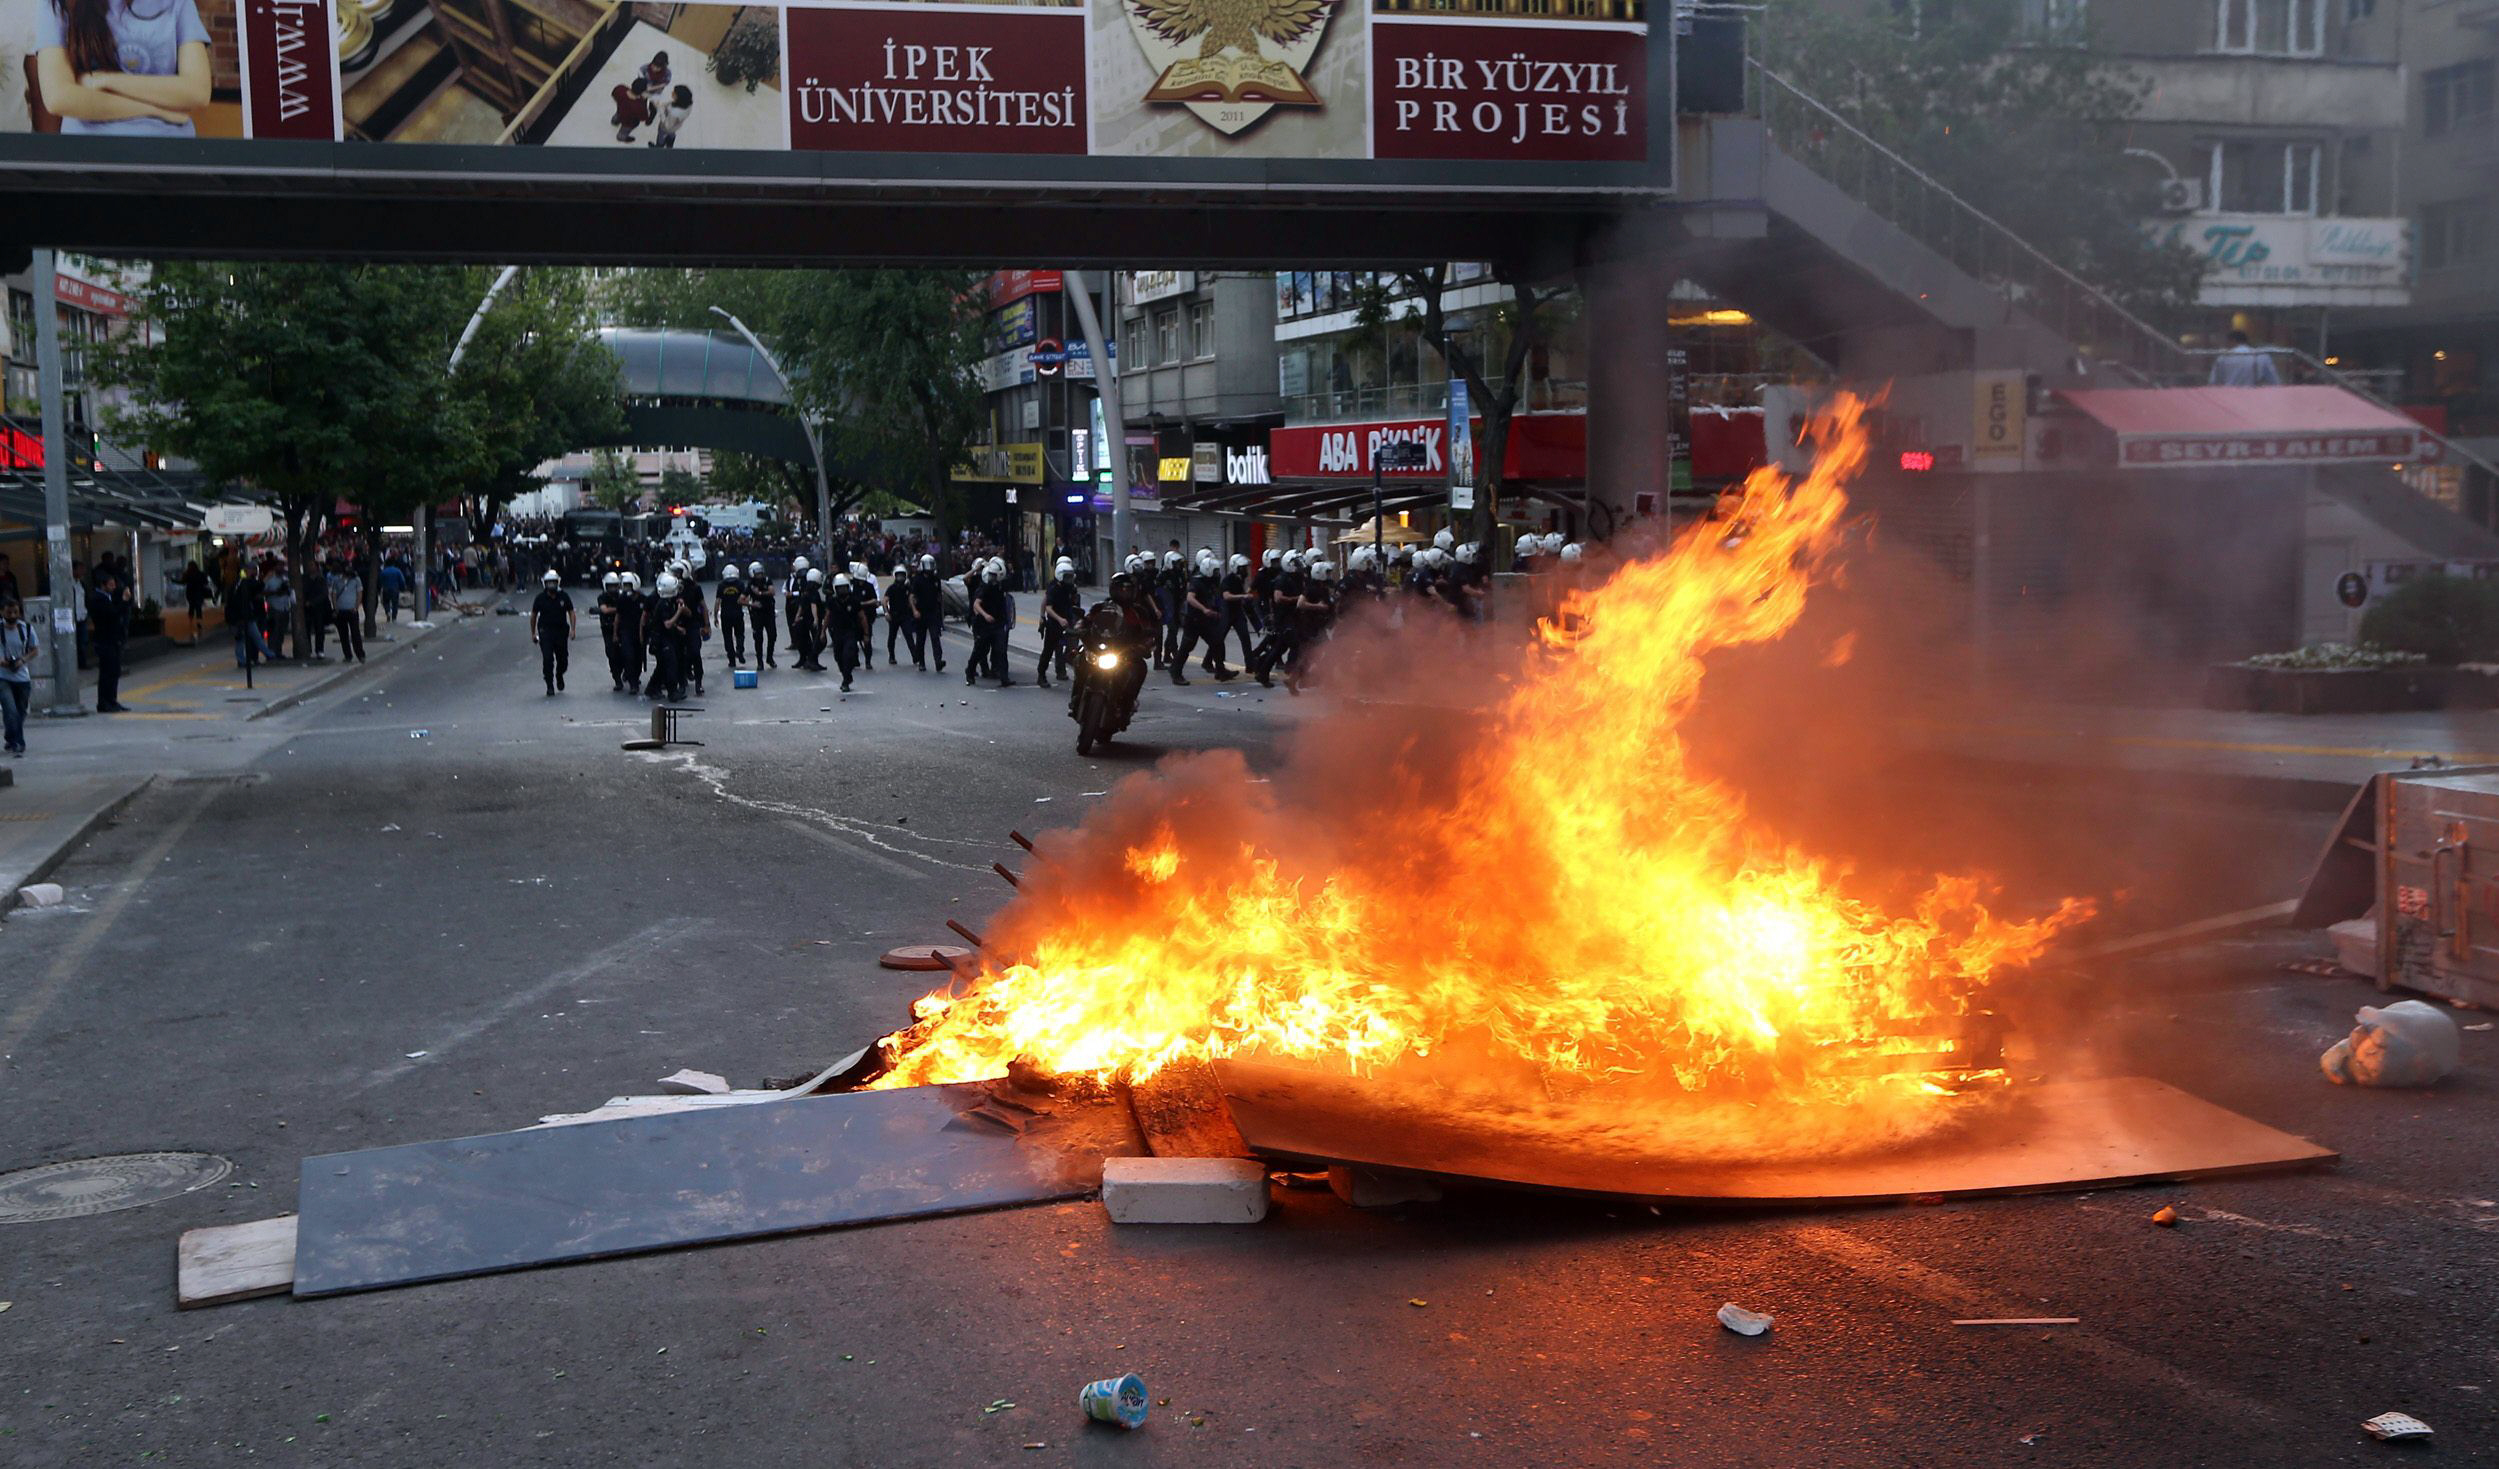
[191, 713]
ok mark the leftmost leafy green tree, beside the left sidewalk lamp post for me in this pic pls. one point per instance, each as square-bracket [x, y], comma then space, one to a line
[309, 383]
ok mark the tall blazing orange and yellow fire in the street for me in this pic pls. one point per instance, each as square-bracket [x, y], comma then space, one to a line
[1578, 908]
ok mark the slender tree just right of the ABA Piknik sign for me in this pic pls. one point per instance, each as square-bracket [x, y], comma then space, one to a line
[1471, 349]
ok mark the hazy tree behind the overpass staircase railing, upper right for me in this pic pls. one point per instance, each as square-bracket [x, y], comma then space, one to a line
[2023, 124]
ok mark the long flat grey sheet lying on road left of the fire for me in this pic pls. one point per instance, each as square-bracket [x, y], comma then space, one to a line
[476, 1205]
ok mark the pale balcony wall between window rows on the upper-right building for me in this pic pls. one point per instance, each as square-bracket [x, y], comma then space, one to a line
[2273, 91]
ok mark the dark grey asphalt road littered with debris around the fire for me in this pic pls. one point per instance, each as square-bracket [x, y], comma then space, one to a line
[436, 858]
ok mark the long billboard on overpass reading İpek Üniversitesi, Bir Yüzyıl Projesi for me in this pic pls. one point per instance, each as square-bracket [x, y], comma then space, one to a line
[1438, 94]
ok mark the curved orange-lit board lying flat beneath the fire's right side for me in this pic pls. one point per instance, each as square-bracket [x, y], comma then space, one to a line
[2055, 1135]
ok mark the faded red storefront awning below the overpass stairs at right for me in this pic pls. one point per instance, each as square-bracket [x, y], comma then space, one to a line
[2193, 428]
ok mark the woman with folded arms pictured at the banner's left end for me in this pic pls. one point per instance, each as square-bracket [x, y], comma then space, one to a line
[134, 69]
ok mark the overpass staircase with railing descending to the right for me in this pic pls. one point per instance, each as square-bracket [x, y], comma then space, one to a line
[1878, 269]
